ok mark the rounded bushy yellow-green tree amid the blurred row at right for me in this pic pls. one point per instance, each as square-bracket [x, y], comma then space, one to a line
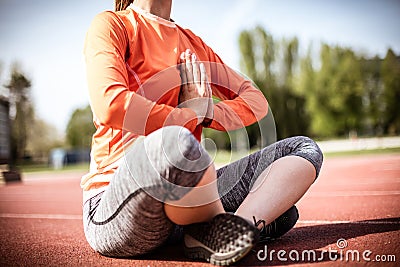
[335, 99]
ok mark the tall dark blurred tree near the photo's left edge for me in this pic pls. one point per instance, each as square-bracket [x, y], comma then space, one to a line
[21, 109]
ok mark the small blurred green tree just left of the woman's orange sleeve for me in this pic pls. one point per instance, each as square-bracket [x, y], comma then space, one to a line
[80, 128]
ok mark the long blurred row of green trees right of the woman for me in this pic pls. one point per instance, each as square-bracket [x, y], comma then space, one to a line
[338, 94]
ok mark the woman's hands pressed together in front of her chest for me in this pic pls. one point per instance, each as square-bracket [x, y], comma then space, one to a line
[196, 92]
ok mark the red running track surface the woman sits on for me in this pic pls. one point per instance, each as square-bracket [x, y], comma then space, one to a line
[351, 216]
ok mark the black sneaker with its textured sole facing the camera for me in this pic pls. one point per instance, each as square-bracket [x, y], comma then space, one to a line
[223, 241]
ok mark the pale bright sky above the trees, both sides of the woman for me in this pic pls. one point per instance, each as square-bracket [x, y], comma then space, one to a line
[47, 37]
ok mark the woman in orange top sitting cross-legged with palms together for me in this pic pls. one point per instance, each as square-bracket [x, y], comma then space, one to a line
[150, 86]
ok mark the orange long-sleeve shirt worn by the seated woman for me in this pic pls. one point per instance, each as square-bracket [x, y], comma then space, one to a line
[133, 80]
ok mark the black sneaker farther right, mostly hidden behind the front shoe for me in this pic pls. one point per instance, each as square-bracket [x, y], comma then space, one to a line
[279, 226]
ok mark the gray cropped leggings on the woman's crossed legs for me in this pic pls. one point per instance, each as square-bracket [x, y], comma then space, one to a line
[128, 218]
